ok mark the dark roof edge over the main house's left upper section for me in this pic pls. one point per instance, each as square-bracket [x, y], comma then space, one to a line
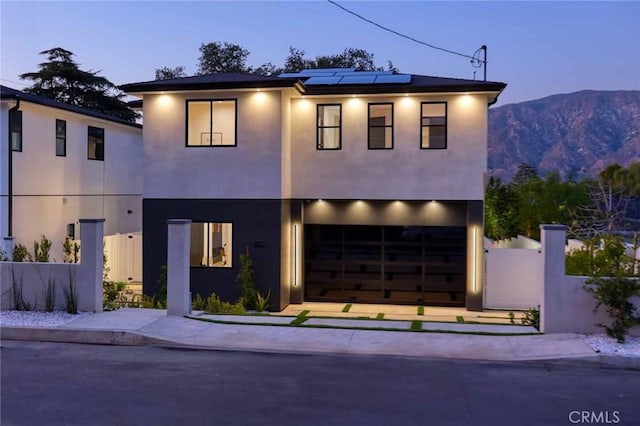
[161, 87]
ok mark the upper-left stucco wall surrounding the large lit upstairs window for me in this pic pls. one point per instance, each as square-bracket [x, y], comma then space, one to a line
[252, 169]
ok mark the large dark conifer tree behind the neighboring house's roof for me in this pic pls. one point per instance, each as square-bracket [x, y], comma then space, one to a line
[61, 79]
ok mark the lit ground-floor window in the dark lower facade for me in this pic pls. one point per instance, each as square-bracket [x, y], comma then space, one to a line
[211, 244]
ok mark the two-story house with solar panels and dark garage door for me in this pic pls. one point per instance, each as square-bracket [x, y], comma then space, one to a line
[342, 185]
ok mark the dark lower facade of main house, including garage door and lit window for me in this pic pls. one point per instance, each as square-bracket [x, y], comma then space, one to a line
[368, 251]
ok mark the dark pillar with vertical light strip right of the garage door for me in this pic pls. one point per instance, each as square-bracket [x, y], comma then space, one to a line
[475, 256]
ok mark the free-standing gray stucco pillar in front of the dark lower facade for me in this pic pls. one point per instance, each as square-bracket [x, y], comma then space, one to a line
[178, 248]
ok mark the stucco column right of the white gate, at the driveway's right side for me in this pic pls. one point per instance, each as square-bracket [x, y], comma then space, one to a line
[552, 240]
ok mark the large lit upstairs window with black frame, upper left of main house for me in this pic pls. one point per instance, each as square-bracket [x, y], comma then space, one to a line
[211, 123]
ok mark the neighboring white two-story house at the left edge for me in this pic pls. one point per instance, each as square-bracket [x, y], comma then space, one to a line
[60, 163]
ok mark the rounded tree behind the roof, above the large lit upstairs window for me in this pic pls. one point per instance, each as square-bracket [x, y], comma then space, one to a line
[222, 57]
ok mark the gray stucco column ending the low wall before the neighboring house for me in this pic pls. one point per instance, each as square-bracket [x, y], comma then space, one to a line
[90, 272]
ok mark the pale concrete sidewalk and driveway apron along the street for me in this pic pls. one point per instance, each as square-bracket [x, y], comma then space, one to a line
[148, 326]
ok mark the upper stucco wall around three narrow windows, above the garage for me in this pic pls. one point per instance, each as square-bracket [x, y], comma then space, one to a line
[406, 171]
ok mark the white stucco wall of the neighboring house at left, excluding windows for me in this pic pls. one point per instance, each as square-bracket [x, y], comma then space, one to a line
[50, 192]
